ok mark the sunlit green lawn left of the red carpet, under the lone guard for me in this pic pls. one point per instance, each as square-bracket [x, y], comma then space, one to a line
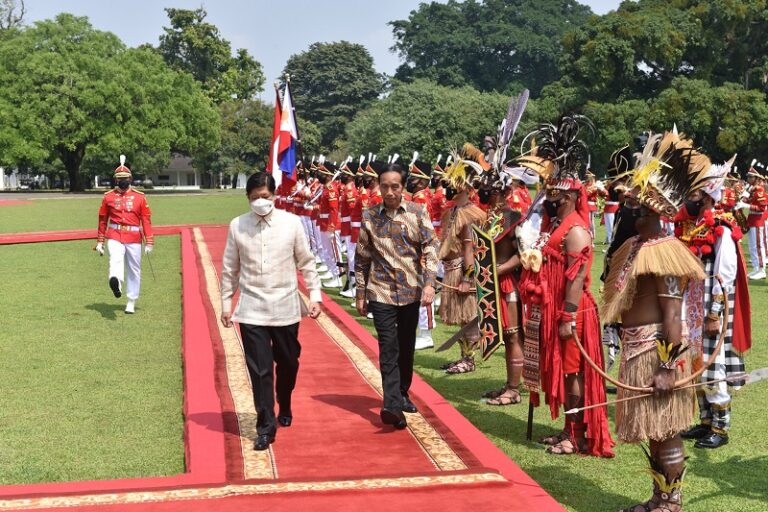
[86, 391]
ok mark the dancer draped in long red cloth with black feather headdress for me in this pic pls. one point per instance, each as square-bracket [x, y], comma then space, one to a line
[555, 288]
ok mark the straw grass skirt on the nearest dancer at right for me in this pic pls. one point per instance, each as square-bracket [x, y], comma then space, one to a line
[650, 418]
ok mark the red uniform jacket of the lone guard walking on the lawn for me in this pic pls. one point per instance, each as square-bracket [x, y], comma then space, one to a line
[122, 216]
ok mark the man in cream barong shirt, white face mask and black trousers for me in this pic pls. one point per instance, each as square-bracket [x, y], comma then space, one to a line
[264, 249]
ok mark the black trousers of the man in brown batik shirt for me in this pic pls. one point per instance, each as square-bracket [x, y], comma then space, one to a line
[396, 330]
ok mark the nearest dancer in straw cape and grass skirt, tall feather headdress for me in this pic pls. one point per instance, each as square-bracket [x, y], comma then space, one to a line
[645, 288]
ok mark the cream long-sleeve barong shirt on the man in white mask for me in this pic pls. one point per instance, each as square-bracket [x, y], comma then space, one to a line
[261, 258]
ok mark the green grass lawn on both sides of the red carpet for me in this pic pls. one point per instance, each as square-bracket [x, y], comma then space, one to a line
[116, 411]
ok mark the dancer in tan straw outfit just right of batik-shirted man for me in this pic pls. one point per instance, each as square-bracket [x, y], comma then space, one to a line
[458, 304]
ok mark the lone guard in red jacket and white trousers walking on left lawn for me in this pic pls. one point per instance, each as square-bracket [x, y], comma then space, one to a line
[125, 220]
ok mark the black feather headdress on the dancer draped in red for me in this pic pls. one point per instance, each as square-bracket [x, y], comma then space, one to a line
[560, 154]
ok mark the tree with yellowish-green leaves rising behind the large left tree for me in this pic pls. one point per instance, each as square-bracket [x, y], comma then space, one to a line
[193, 45]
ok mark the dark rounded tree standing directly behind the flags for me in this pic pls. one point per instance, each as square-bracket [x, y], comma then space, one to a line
[331, 82]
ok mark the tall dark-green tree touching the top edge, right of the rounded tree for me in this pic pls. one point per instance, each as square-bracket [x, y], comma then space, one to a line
[492, 45]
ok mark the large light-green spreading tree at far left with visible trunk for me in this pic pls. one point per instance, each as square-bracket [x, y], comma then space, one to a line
[67, 89]
